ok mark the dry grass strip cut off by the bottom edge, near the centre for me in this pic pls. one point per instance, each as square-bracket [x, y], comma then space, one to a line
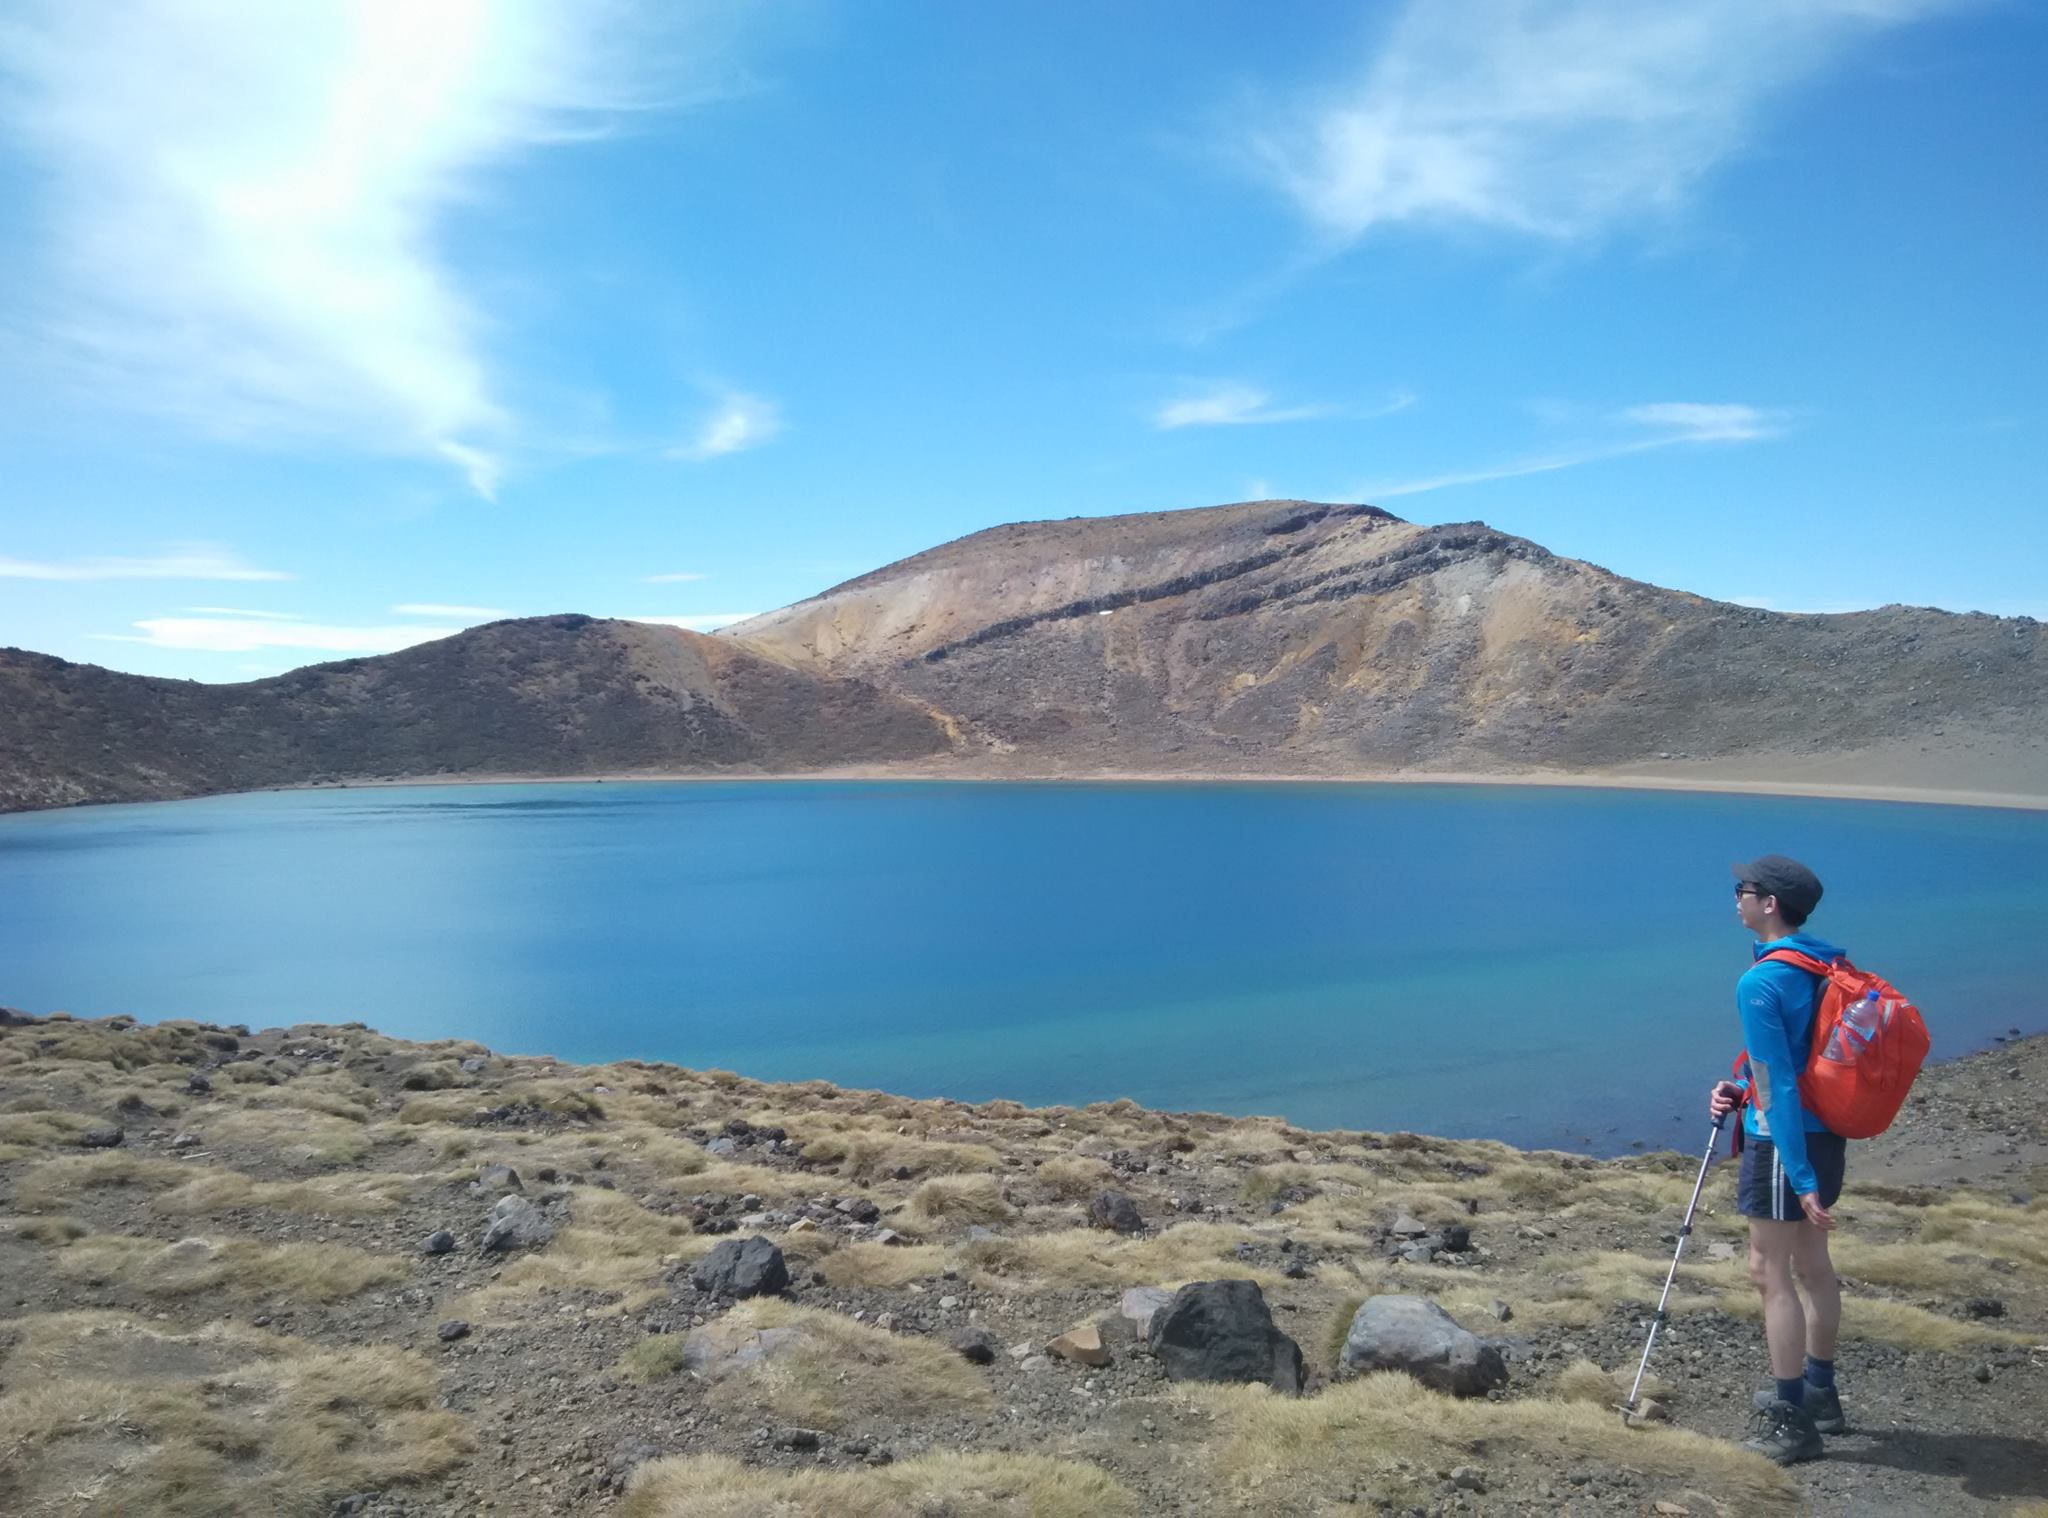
[959, 1486]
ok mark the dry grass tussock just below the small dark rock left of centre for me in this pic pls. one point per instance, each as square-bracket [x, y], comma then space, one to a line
[841, 1372]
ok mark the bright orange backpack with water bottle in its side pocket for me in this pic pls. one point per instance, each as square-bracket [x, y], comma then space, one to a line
[1869, 1044]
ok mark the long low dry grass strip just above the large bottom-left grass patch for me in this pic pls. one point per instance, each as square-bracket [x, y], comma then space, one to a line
[241, 1267]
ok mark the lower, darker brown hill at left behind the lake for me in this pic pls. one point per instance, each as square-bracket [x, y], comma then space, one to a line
[546, 695]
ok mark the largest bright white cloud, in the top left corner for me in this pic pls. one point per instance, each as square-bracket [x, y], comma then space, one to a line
[247, 202]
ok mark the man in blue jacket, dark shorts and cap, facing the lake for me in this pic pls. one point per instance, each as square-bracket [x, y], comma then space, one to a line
[1791, 1167]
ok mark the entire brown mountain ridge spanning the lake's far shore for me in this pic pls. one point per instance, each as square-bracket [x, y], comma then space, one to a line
[1269, 638]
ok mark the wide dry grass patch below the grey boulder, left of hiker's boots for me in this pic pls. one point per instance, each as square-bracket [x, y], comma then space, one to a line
[1287, 1456]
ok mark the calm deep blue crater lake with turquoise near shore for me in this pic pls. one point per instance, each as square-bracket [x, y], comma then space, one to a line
[1543, 966]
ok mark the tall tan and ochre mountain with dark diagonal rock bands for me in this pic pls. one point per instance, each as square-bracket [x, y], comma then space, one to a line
[1326, 640]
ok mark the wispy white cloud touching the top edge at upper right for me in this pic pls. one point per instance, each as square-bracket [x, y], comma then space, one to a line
[1553, 118]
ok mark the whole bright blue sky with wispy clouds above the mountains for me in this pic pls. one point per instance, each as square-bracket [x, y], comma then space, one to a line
[327, 329]
